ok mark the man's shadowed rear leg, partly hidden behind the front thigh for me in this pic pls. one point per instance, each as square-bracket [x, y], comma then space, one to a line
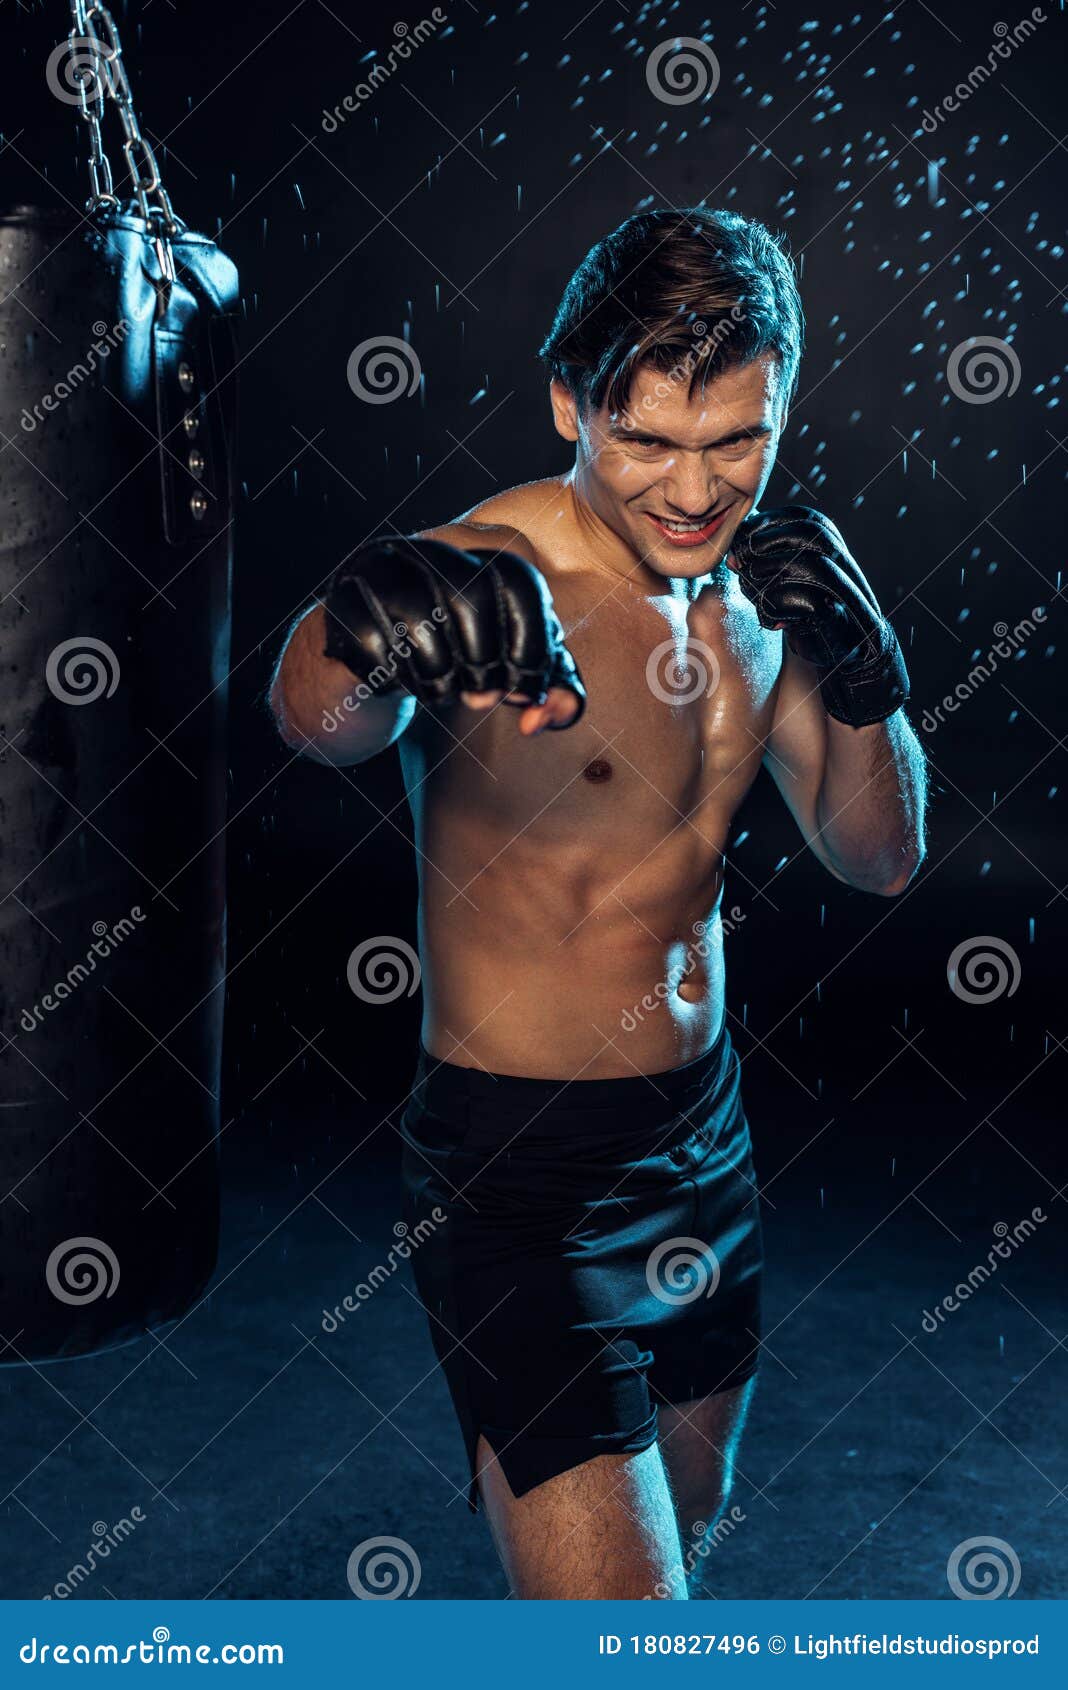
[700, 1442]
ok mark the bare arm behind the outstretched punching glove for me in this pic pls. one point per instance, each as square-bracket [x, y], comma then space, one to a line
[324, 711]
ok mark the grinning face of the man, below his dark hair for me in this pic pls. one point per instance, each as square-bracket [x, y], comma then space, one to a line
[675, 476]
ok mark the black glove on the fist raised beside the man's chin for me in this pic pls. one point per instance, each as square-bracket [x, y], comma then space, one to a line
[798, 572]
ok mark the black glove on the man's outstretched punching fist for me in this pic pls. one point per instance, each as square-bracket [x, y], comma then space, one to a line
[437, 621]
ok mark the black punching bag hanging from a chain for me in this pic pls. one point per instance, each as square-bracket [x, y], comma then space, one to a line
[116, 552]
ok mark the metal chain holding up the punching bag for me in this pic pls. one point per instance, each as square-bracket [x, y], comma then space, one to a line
[97, 70]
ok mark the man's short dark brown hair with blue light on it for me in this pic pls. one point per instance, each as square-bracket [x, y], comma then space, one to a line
[692, 292]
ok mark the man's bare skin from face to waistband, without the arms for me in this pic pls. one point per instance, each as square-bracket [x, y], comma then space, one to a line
[569, 876]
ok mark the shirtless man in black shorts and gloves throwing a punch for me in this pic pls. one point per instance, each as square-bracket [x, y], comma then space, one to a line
[584, 677]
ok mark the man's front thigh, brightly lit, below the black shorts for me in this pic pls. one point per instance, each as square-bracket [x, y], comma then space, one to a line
[601, 1530]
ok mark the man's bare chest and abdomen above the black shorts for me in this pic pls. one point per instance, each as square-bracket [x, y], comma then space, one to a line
[567, 925]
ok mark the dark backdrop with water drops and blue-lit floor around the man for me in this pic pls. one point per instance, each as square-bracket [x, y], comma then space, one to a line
[895, 1125]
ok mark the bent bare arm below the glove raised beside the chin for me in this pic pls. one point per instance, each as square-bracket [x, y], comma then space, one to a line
[858, 795]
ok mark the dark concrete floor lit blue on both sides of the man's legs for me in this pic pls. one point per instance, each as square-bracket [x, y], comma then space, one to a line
[261, 1451]
